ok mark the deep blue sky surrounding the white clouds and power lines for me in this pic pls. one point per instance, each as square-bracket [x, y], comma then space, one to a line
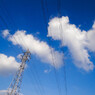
[28, 15]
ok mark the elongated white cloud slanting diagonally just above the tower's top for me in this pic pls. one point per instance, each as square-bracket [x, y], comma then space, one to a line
[39, 48]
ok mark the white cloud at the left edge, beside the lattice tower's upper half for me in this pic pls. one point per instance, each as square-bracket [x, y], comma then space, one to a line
[8, 65]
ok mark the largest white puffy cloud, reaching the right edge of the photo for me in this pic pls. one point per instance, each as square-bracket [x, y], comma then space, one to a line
[77, 41]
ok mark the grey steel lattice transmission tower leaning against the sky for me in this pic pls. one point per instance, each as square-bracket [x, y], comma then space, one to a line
[14, 87]
